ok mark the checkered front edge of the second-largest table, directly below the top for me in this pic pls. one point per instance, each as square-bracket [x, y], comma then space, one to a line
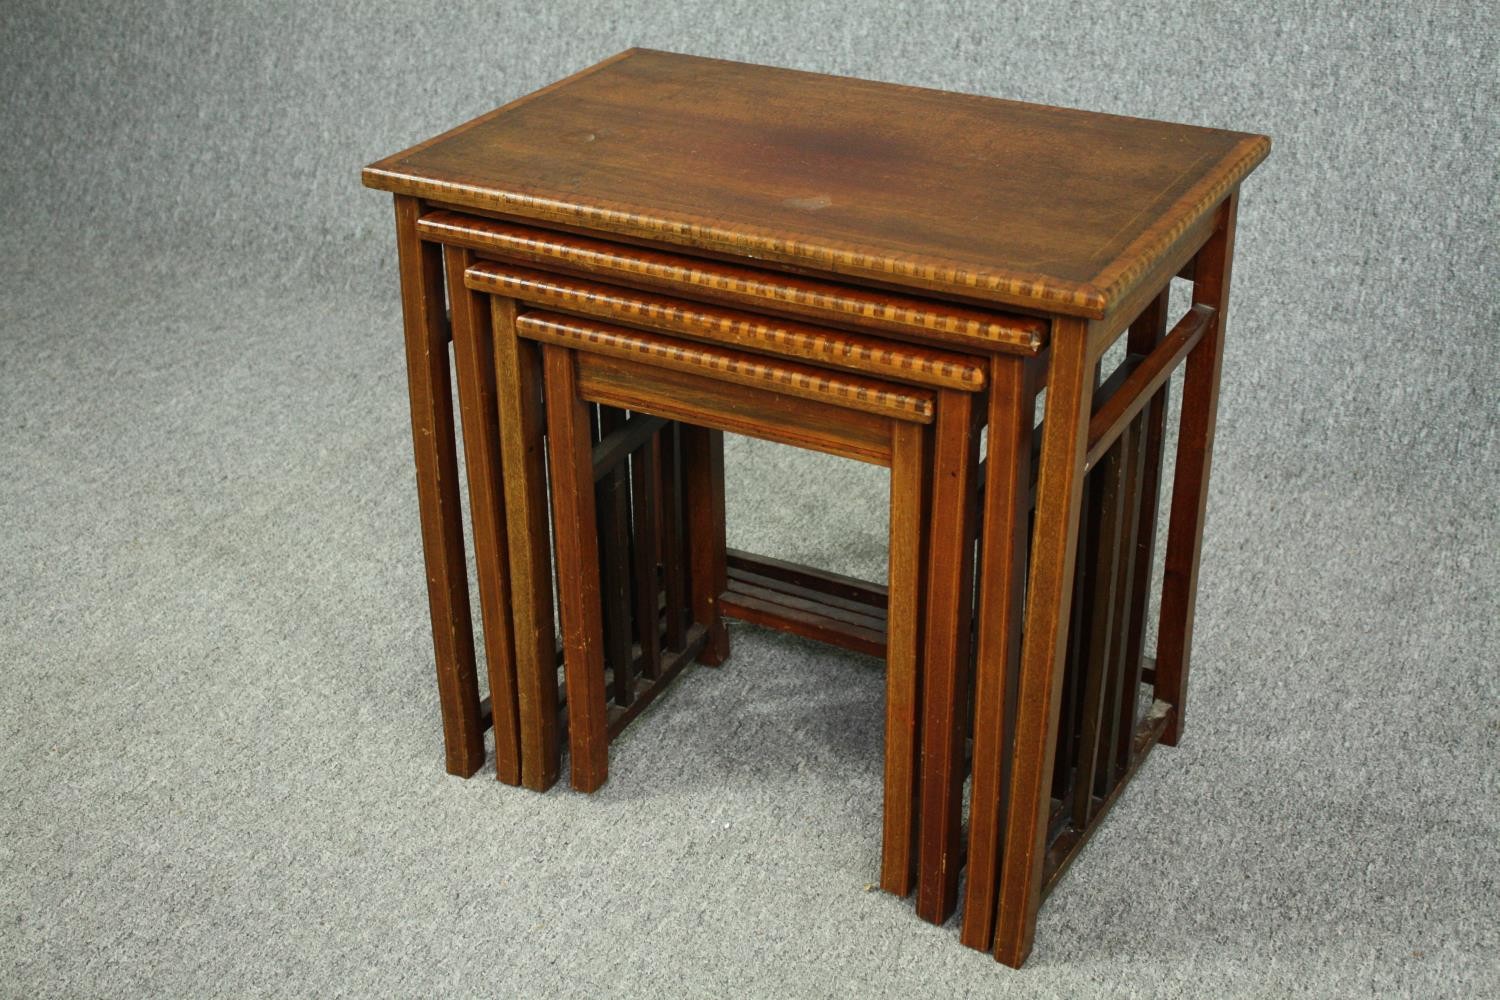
[767, 292]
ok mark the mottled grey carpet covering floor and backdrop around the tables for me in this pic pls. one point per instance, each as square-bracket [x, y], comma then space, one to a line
[221, 767]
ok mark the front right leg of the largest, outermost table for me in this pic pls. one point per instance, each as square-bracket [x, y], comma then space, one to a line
[1060, 494]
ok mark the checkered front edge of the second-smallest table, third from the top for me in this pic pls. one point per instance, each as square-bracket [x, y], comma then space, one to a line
[764, 335]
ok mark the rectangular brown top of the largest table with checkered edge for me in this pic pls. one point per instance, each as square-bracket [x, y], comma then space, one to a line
[1030, 206]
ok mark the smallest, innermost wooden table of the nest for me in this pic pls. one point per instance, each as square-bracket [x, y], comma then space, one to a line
[706, 394]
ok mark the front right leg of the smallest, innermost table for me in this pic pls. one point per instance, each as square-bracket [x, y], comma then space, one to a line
[910, 446]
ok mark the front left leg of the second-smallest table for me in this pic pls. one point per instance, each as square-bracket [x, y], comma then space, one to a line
[518, 377]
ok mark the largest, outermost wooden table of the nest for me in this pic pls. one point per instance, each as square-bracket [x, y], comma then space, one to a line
[1075, 218]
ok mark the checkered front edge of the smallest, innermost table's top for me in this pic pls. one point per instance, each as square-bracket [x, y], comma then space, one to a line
[899, 403]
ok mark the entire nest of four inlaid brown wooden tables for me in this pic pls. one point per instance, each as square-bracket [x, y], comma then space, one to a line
[851, 280]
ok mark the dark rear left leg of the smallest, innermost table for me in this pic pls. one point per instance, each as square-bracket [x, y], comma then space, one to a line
[703, 455]
